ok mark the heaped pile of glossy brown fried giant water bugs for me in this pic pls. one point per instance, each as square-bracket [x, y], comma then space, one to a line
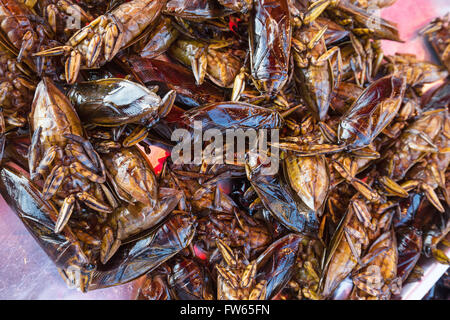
[92, 89]
